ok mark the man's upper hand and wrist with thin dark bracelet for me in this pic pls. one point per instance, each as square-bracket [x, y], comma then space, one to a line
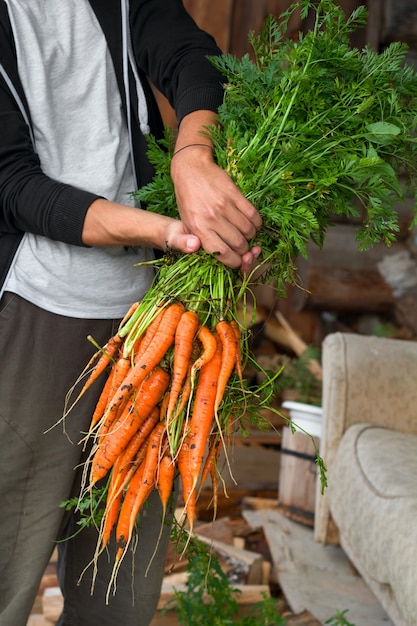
[210, 204]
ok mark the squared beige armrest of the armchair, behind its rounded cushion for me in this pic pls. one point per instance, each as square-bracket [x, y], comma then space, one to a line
[365, 379]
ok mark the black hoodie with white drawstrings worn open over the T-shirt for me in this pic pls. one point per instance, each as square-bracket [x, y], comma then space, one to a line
[168, 47]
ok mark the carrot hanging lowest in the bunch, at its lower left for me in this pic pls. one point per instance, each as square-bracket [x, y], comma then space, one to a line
[140, 487]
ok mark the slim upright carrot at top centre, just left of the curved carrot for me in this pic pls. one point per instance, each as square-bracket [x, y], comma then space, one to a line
[183, 346]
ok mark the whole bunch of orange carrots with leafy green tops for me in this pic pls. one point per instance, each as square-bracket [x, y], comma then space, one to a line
[174, 391]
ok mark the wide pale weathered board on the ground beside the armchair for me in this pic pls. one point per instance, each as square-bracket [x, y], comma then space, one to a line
[314, 577]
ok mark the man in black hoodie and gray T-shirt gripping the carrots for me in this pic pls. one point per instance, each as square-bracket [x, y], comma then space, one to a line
[75, 106]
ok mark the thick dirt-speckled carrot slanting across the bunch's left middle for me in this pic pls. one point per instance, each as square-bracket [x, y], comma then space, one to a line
[111, 445]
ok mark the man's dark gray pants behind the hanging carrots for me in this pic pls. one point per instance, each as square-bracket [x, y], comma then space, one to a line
[41, 356]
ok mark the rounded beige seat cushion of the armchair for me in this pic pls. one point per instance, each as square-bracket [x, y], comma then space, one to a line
[373, 501]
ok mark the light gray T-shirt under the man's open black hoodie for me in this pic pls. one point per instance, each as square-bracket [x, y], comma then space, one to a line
[81, 139]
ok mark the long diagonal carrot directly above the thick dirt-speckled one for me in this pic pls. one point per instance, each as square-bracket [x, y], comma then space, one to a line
[162, 341]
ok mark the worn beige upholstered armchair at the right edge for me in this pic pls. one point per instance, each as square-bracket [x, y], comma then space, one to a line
[369, 445]
